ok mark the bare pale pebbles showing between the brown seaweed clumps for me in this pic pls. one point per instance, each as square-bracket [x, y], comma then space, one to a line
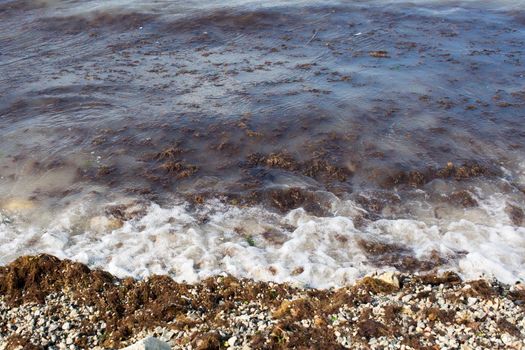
[249, 318]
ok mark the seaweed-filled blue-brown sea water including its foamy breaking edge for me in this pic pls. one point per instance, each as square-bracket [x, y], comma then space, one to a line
[311, 142]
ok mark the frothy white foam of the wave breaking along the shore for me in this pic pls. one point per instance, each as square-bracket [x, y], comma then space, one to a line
[252, 242]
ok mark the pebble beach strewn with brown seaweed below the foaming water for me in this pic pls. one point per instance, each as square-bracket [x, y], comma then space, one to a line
[47, 303]
